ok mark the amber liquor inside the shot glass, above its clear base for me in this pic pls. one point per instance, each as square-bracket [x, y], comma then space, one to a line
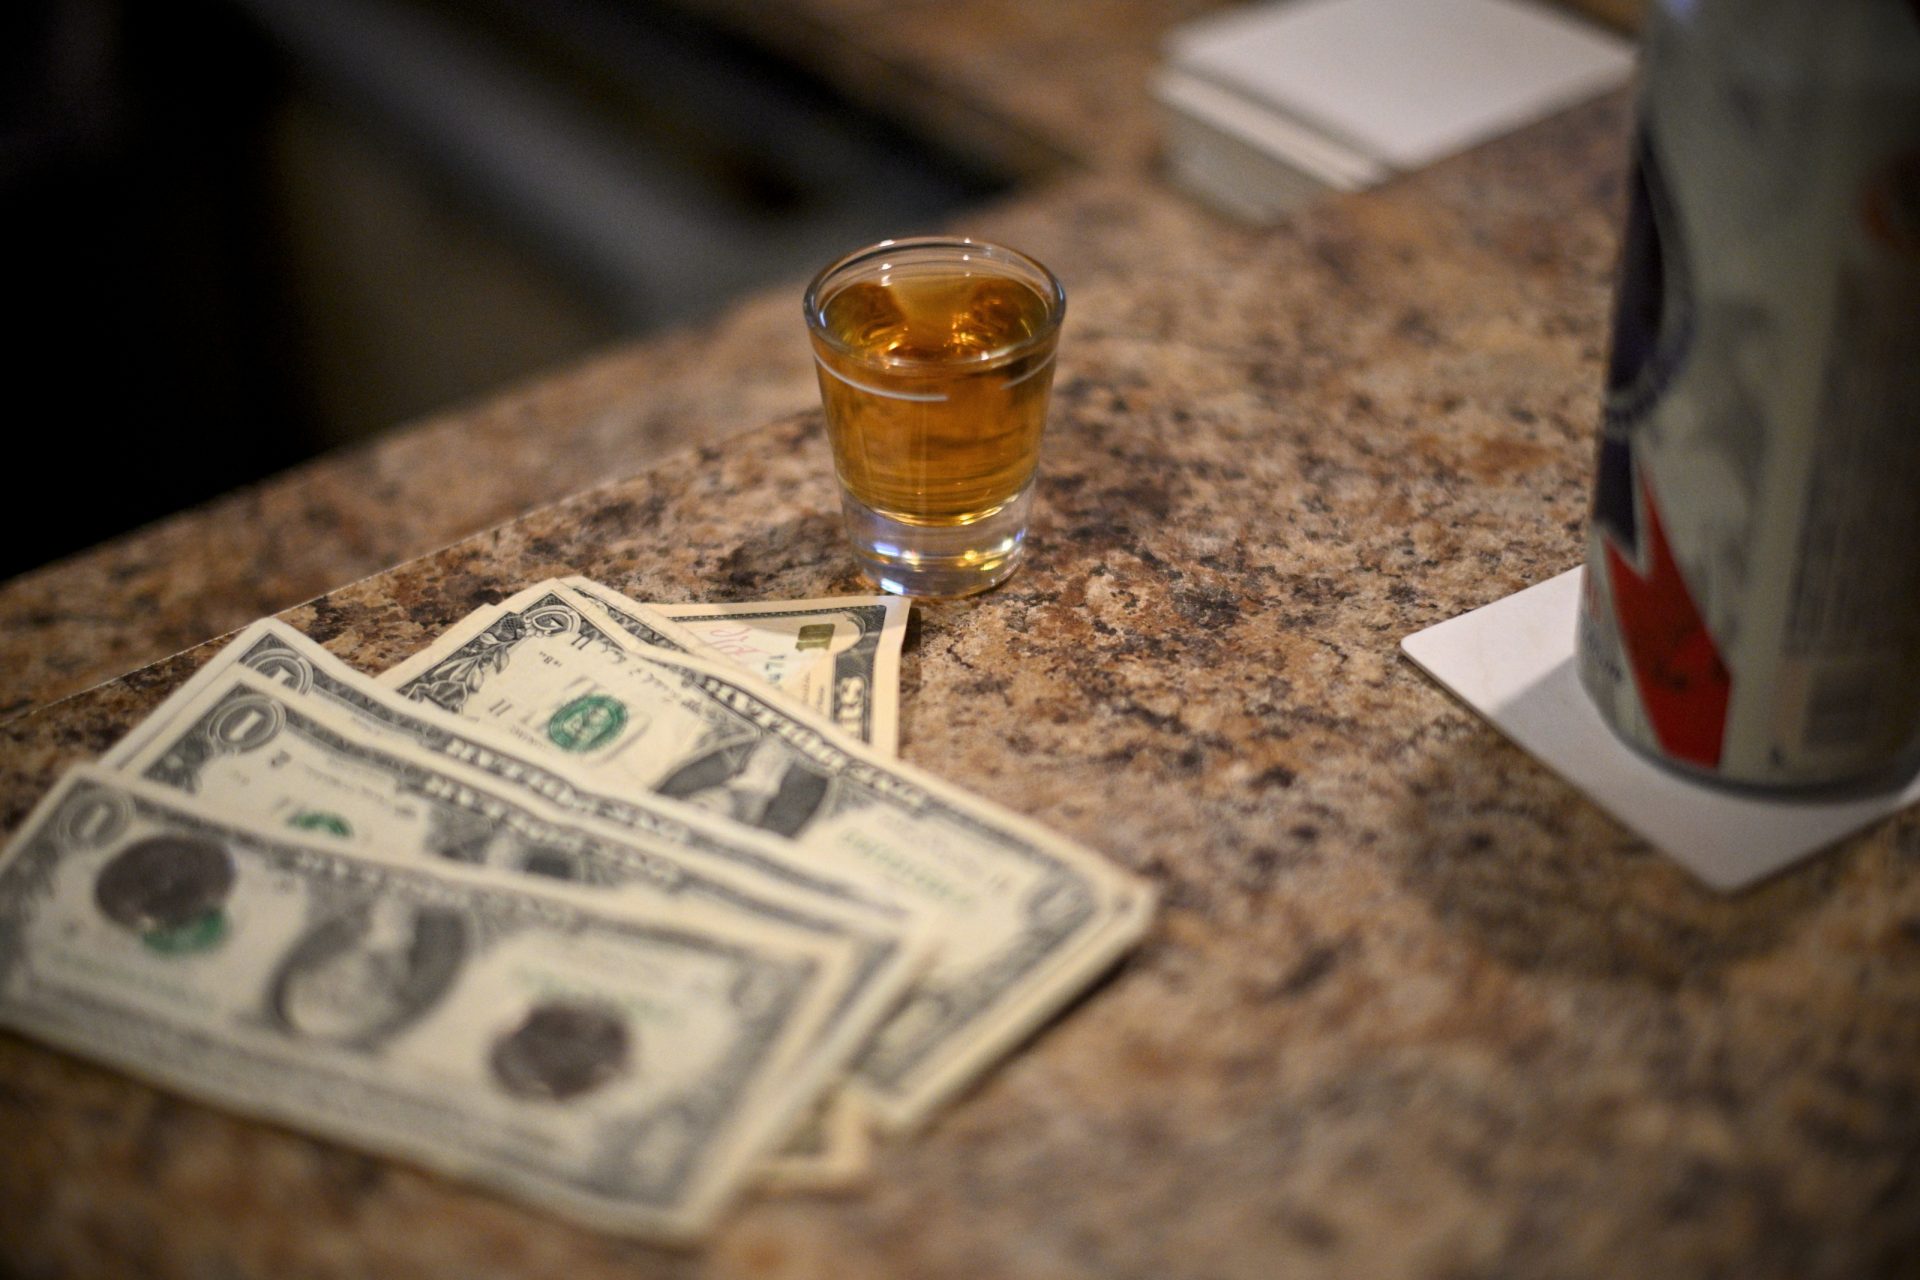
[936, 415]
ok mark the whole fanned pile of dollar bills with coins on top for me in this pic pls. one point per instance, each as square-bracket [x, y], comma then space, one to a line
[619, 909]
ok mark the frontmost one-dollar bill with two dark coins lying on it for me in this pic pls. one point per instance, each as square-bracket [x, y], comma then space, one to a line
[569, 1049]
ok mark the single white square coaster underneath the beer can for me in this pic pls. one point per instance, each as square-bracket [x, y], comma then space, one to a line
[1514, 663]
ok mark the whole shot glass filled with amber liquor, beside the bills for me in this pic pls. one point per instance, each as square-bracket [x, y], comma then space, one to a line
[936, 366]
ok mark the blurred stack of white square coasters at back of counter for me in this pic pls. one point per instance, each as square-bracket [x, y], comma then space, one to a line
[1272, 105]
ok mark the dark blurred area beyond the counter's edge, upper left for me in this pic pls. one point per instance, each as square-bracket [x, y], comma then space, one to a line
[249, 231]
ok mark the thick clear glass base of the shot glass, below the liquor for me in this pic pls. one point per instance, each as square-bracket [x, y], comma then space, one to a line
[938, 559]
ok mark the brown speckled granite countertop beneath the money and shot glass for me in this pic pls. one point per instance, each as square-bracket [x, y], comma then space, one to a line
[1410, 1008]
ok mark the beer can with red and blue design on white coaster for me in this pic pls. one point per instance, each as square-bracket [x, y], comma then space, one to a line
[1752, 594]
